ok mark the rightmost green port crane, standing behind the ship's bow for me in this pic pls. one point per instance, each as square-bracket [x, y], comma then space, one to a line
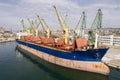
[96, 26]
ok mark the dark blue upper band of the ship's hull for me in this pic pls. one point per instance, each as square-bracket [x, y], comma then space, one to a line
[94, 55]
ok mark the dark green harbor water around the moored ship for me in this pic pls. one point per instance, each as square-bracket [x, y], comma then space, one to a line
[16, 65]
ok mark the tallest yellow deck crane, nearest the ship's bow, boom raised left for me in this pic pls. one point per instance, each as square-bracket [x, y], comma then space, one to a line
[63, 26]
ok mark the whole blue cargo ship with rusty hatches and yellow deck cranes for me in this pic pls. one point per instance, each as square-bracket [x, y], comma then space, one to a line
[78, 55]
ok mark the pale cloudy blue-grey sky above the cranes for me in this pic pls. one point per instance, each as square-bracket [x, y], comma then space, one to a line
[12, 11]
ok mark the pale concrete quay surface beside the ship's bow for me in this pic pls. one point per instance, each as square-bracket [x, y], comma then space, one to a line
[112, 57]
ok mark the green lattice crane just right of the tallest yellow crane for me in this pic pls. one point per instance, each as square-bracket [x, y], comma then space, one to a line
[82, 20]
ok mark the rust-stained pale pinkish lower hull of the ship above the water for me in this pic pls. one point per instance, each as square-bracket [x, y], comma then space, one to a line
[91, 66]
